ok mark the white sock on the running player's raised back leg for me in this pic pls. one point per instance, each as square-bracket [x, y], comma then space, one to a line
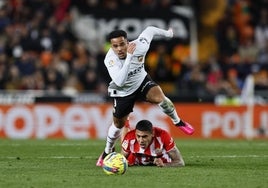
[168, 108]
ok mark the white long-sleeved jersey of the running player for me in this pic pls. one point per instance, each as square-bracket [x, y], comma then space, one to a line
[128, 74]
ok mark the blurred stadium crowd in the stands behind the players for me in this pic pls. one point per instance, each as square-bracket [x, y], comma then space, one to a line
[39, 51]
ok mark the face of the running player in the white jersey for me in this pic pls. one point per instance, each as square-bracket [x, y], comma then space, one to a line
[119, 46]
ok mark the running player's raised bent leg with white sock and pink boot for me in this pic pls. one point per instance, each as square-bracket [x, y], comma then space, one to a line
[156, 95]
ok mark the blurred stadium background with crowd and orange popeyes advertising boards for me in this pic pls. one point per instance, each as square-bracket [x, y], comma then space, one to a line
[53, 81]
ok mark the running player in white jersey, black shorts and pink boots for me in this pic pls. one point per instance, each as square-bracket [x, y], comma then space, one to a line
[130, 82]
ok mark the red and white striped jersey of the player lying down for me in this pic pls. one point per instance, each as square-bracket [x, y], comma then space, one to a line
[161, 144]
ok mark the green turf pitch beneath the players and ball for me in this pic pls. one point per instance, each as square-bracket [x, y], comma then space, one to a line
[71, 163]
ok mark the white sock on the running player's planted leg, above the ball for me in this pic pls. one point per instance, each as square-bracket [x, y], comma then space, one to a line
[113, 135]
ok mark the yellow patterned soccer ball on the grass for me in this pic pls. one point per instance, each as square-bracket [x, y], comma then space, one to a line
[115, 163]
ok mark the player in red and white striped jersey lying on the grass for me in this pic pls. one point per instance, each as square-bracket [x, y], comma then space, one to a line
[148, 145]
